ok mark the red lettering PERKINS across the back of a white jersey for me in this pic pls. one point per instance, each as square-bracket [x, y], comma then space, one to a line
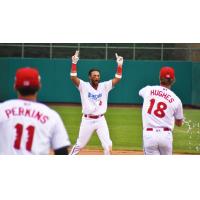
[20, 111]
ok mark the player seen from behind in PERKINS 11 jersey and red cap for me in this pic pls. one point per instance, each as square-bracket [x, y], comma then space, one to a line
[28, 127]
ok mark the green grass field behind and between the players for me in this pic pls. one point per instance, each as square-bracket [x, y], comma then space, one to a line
[125, 125]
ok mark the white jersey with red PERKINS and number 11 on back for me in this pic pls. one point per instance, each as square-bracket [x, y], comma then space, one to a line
[28, 127]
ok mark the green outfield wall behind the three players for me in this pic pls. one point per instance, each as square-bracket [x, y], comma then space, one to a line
[57, 86]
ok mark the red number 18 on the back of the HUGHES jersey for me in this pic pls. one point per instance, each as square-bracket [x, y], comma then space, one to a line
[159, 112]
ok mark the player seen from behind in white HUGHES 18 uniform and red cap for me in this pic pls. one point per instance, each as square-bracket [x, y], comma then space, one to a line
[161, 109]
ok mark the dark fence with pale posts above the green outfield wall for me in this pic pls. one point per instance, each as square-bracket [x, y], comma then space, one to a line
[105, 51]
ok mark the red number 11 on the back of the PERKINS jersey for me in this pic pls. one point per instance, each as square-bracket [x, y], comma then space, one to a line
[19, 131]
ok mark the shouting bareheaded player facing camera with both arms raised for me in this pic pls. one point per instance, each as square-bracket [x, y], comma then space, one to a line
[94, 97]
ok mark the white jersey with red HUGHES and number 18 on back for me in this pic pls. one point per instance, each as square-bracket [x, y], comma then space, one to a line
[160, 108]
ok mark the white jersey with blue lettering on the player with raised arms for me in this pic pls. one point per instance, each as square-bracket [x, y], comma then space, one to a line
[94, 101]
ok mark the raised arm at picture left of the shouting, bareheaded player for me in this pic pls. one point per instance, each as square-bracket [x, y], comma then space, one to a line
[73, 73]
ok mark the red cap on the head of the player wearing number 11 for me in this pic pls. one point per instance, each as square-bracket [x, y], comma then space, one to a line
[27, 77]
